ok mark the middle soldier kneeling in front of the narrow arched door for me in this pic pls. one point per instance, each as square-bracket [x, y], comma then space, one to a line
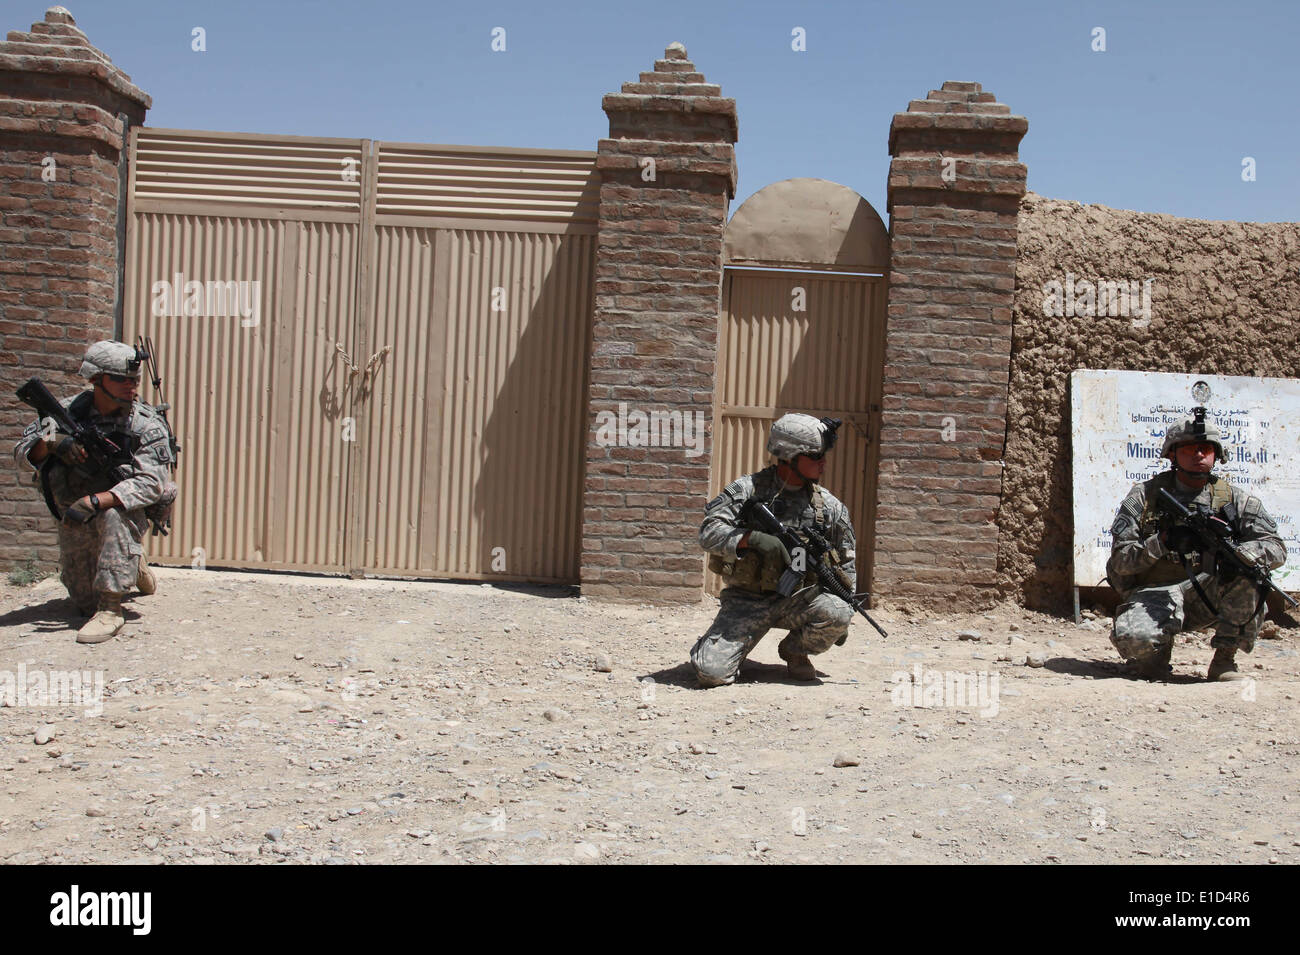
[751, 562]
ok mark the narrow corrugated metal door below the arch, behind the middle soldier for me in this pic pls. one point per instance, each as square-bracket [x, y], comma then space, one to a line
[825, 361]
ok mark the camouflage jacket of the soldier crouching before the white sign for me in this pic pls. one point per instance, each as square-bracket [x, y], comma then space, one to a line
[1139, 559]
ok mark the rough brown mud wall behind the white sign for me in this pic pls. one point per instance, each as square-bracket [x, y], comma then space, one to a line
[1225, 299]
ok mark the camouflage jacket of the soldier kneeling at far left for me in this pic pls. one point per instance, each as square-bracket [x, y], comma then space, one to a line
[148, 455]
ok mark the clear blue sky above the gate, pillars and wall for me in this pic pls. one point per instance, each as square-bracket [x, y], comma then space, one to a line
[1160, 121]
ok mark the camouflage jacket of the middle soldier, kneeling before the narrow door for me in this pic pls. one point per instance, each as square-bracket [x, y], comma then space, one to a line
[722, 528]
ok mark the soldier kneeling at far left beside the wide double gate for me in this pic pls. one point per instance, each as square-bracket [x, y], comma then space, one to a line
[105, 519]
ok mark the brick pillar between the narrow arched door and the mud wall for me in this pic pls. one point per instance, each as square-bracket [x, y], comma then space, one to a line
[955, 189]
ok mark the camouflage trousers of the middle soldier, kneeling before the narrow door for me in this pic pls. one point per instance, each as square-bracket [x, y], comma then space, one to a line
[814, 620]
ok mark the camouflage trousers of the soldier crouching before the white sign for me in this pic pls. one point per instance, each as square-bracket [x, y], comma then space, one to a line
[1147, 623]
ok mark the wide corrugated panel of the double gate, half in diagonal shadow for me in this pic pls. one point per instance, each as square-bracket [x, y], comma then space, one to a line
[512, 423]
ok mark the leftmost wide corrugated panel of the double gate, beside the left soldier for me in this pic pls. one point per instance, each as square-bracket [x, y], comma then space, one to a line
[216, 375]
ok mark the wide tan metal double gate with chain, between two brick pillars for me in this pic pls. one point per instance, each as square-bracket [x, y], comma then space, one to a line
[408, 397]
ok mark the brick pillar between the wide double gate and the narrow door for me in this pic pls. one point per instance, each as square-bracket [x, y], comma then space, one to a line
[668, 173]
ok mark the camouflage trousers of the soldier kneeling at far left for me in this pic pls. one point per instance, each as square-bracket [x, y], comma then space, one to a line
[102, 557]
